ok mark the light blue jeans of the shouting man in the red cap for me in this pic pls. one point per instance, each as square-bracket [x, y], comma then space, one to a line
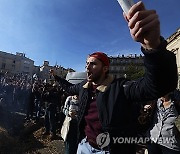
[85, 148]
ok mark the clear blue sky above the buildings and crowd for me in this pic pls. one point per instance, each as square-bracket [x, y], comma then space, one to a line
[64, 32]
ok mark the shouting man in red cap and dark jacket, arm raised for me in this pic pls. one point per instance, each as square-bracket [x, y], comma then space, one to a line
[105, 103]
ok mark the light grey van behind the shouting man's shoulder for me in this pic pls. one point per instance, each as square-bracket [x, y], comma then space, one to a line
[76, 77]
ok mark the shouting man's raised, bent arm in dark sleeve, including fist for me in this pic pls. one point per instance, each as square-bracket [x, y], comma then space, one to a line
[160, 65]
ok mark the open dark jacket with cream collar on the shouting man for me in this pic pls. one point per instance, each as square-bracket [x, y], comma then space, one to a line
[115, 96]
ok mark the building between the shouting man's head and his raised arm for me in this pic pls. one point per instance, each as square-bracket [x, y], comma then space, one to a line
[120, 64]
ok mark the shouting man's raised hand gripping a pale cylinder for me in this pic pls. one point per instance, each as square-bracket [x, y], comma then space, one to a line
[144, 26]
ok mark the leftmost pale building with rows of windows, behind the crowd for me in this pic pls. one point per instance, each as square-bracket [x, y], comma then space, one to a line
[14, 64]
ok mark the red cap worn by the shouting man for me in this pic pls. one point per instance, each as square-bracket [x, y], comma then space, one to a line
[101, 56]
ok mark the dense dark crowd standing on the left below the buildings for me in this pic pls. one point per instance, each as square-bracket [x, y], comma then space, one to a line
[34, 97]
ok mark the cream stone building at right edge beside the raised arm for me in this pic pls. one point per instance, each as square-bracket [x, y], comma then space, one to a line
[174, 46]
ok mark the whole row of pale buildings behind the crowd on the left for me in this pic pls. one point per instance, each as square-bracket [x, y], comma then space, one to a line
[19, 64]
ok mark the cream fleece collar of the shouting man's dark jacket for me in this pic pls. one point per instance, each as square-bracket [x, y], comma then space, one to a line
[104, 84]
